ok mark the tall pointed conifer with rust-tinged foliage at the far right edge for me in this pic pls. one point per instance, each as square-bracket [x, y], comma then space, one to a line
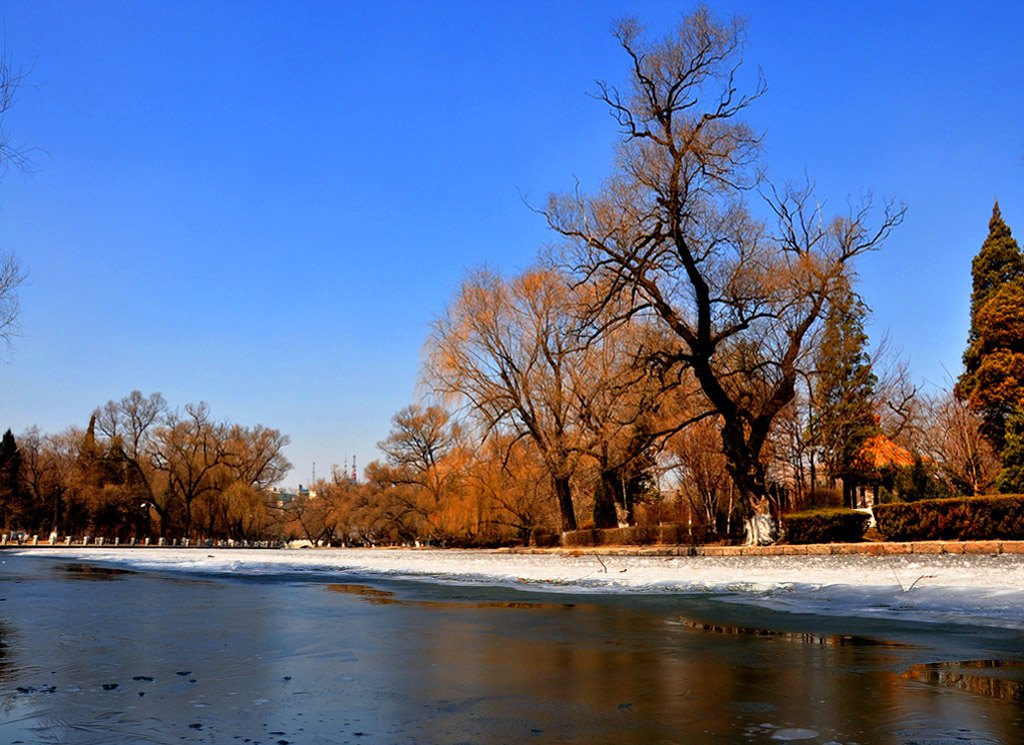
[993, 382]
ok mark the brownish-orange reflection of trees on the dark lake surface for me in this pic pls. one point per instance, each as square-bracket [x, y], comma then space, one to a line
[591, 671]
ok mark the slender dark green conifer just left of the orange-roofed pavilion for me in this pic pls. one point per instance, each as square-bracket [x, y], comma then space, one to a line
[844, 386]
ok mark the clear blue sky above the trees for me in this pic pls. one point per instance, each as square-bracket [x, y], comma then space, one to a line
[264, 205]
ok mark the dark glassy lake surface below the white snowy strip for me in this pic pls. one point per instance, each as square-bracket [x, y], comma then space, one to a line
[332, 659]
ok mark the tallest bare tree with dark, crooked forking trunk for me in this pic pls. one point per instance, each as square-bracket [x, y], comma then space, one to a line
[671, 231]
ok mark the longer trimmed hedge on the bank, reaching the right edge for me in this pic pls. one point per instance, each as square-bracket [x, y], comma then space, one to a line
[970, 518]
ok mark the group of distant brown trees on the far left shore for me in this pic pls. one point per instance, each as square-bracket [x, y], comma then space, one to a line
[142, 469]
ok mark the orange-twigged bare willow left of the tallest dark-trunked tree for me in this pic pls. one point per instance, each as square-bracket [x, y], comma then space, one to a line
[507, 349]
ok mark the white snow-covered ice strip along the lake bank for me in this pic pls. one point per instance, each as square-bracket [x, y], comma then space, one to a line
[947, 589]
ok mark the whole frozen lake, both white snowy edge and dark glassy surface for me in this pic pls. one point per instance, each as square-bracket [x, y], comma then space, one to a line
[199, 646]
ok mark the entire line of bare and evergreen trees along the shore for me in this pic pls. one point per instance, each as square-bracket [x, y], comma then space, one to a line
[692, 348]
